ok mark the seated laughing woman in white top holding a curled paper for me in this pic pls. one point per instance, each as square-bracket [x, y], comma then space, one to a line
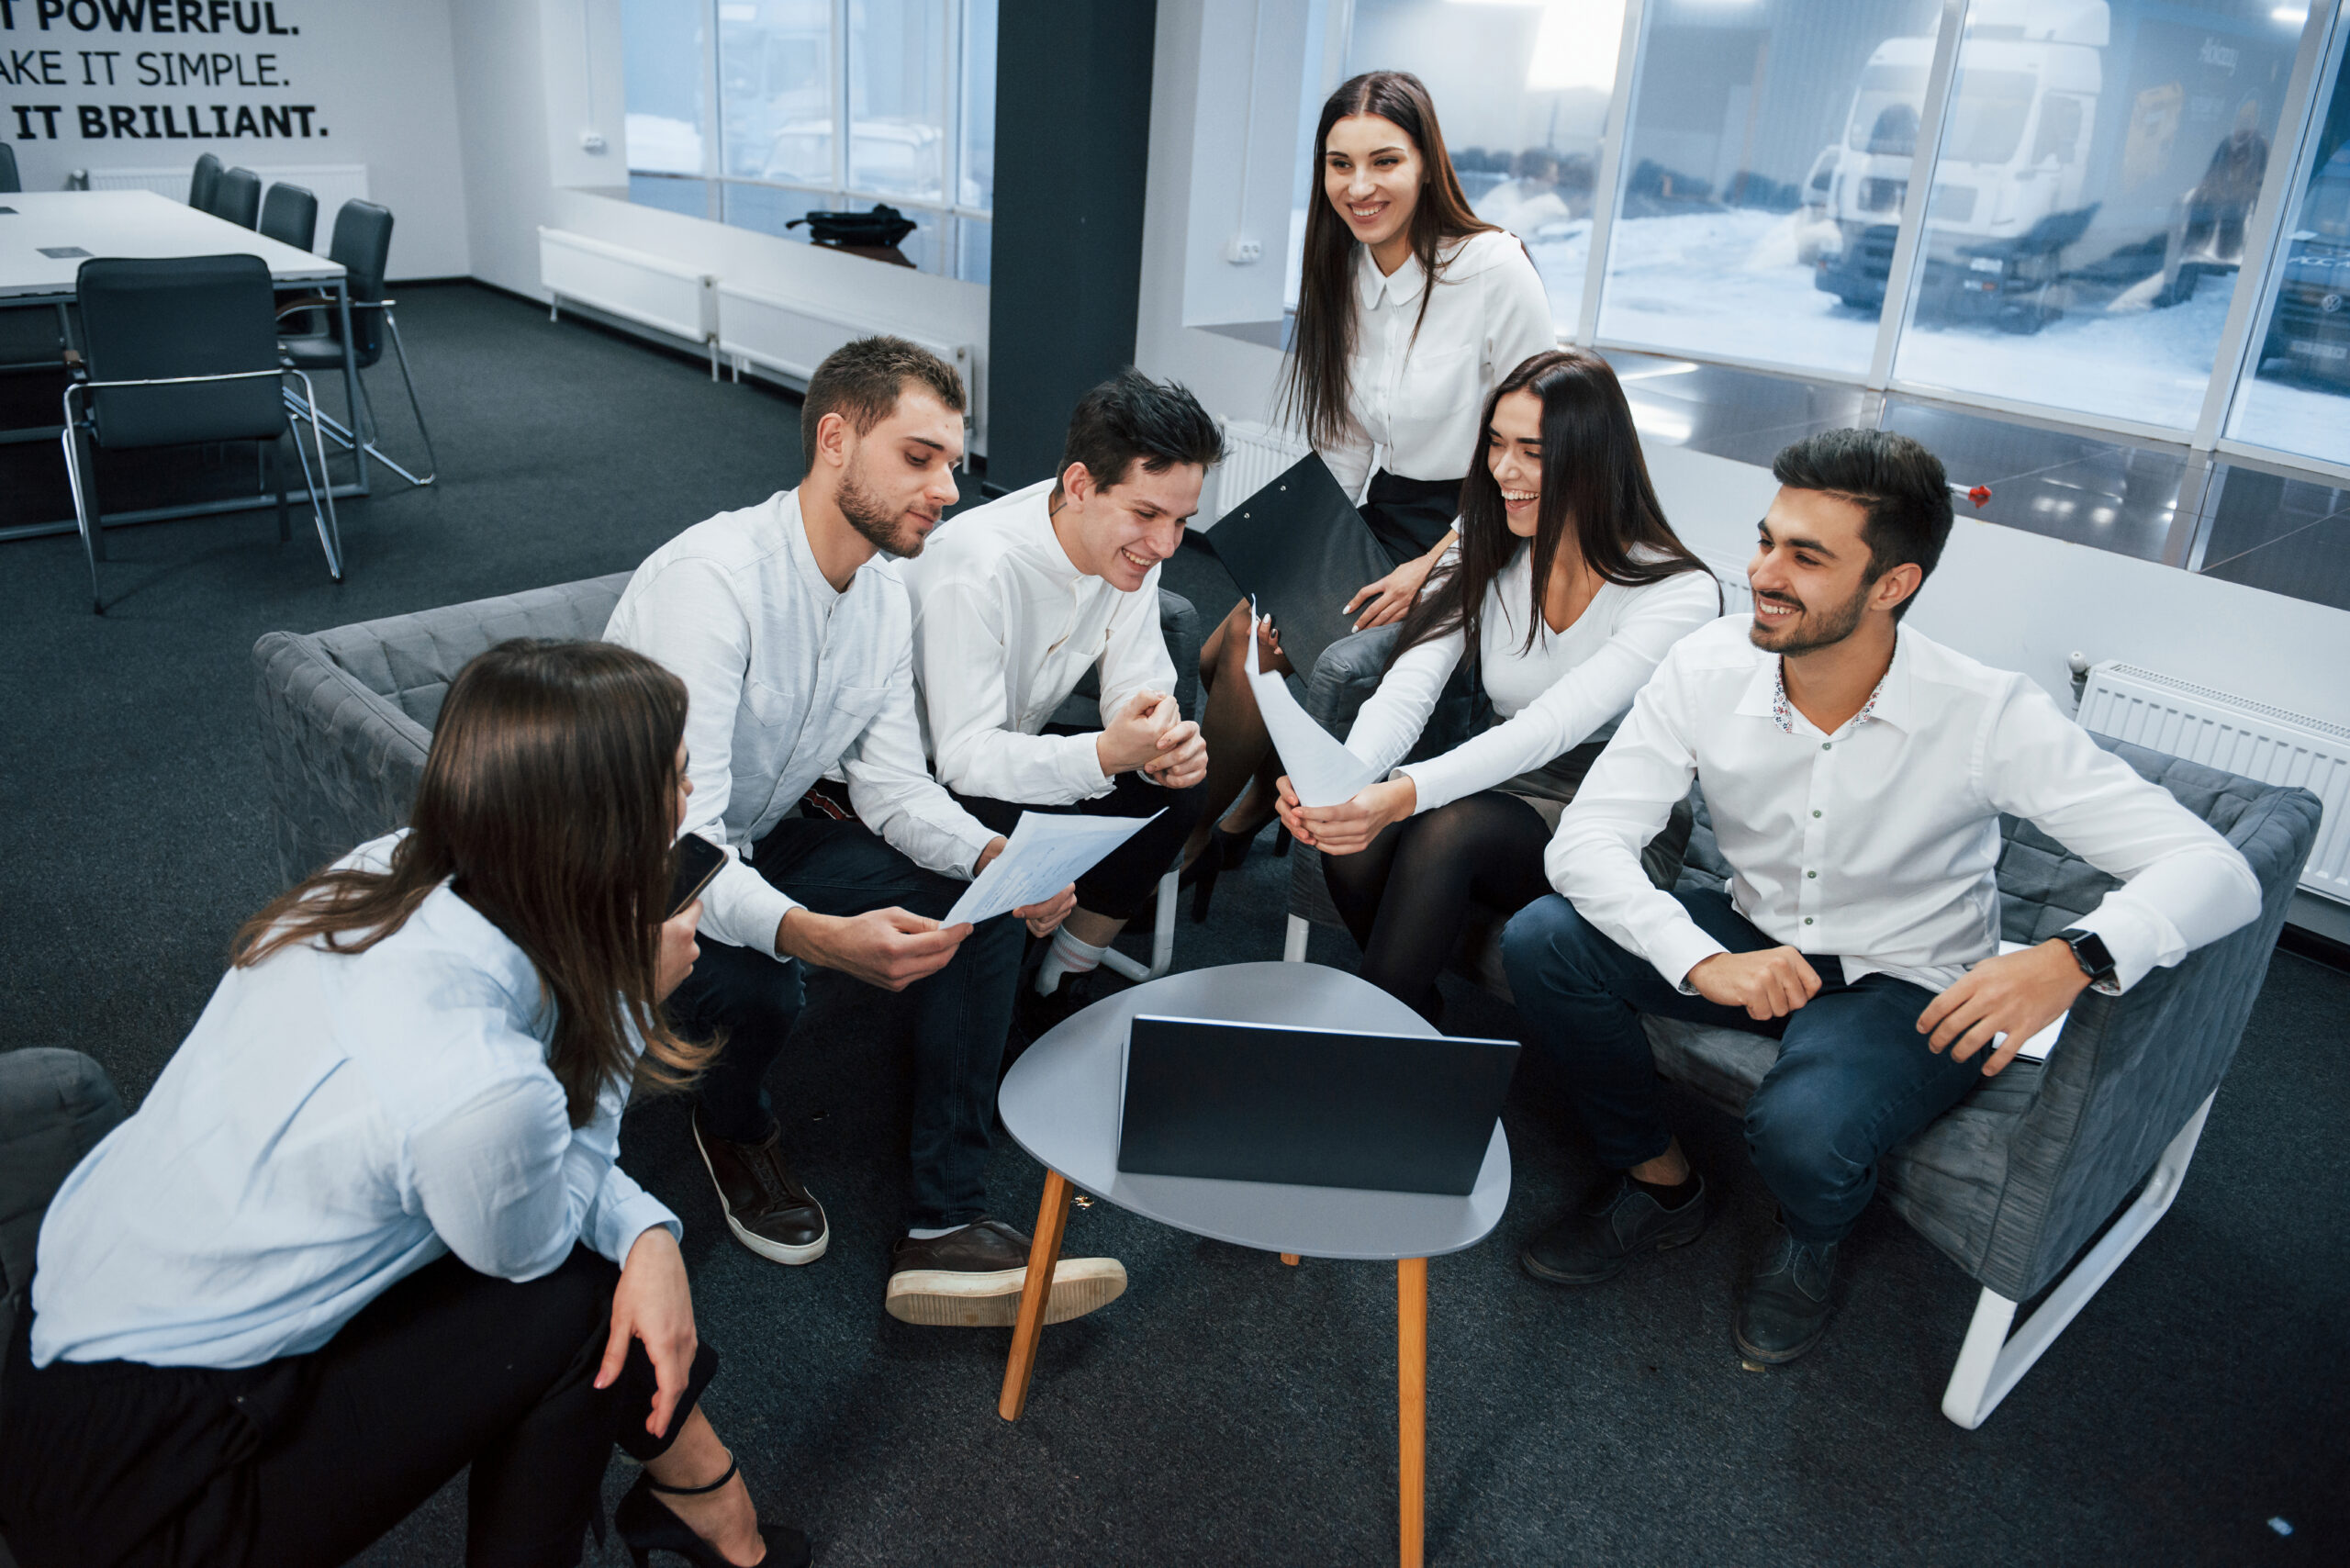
[1562, 502]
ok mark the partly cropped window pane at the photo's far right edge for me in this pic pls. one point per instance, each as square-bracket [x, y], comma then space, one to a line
[2297, 382]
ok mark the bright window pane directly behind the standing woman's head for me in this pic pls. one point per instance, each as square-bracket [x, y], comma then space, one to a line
[1522, 91]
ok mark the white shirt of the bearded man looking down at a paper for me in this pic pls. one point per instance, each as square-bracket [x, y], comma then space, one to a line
[788, 683]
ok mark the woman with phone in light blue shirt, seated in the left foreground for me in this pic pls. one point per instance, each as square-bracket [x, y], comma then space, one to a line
[370, 1226]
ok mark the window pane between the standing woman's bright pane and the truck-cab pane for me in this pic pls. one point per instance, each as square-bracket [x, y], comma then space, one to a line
[1764, 177]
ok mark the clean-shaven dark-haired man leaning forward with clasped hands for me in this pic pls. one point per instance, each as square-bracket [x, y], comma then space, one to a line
[1016, 601]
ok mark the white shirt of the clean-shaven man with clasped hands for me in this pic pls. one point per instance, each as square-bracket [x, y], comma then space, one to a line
[1005, 626]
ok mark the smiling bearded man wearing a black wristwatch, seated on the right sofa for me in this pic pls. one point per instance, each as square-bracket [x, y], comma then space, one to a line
[1855, 775]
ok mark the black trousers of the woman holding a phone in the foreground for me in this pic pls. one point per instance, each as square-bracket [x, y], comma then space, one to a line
[311, 1459]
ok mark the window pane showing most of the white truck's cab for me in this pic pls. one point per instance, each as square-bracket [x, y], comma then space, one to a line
[2093, 201]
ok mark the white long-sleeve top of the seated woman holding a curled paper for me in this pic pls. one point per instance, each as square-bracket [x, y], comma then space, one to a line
[1566, 690]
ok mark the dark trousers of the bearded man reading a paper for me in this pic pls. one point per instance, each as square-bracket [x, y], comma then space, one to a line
[962, 1014]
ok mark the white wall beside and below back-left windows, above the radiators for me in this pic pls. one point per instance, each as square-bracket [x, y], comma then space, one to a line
[532, 76]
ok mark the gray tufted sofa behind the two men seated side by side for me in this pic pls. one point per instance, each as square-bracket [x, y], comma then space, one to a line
[347, 716]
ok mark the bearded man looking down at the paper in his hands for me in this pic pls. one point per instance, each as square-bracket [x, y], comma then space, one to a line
[795, 645]
